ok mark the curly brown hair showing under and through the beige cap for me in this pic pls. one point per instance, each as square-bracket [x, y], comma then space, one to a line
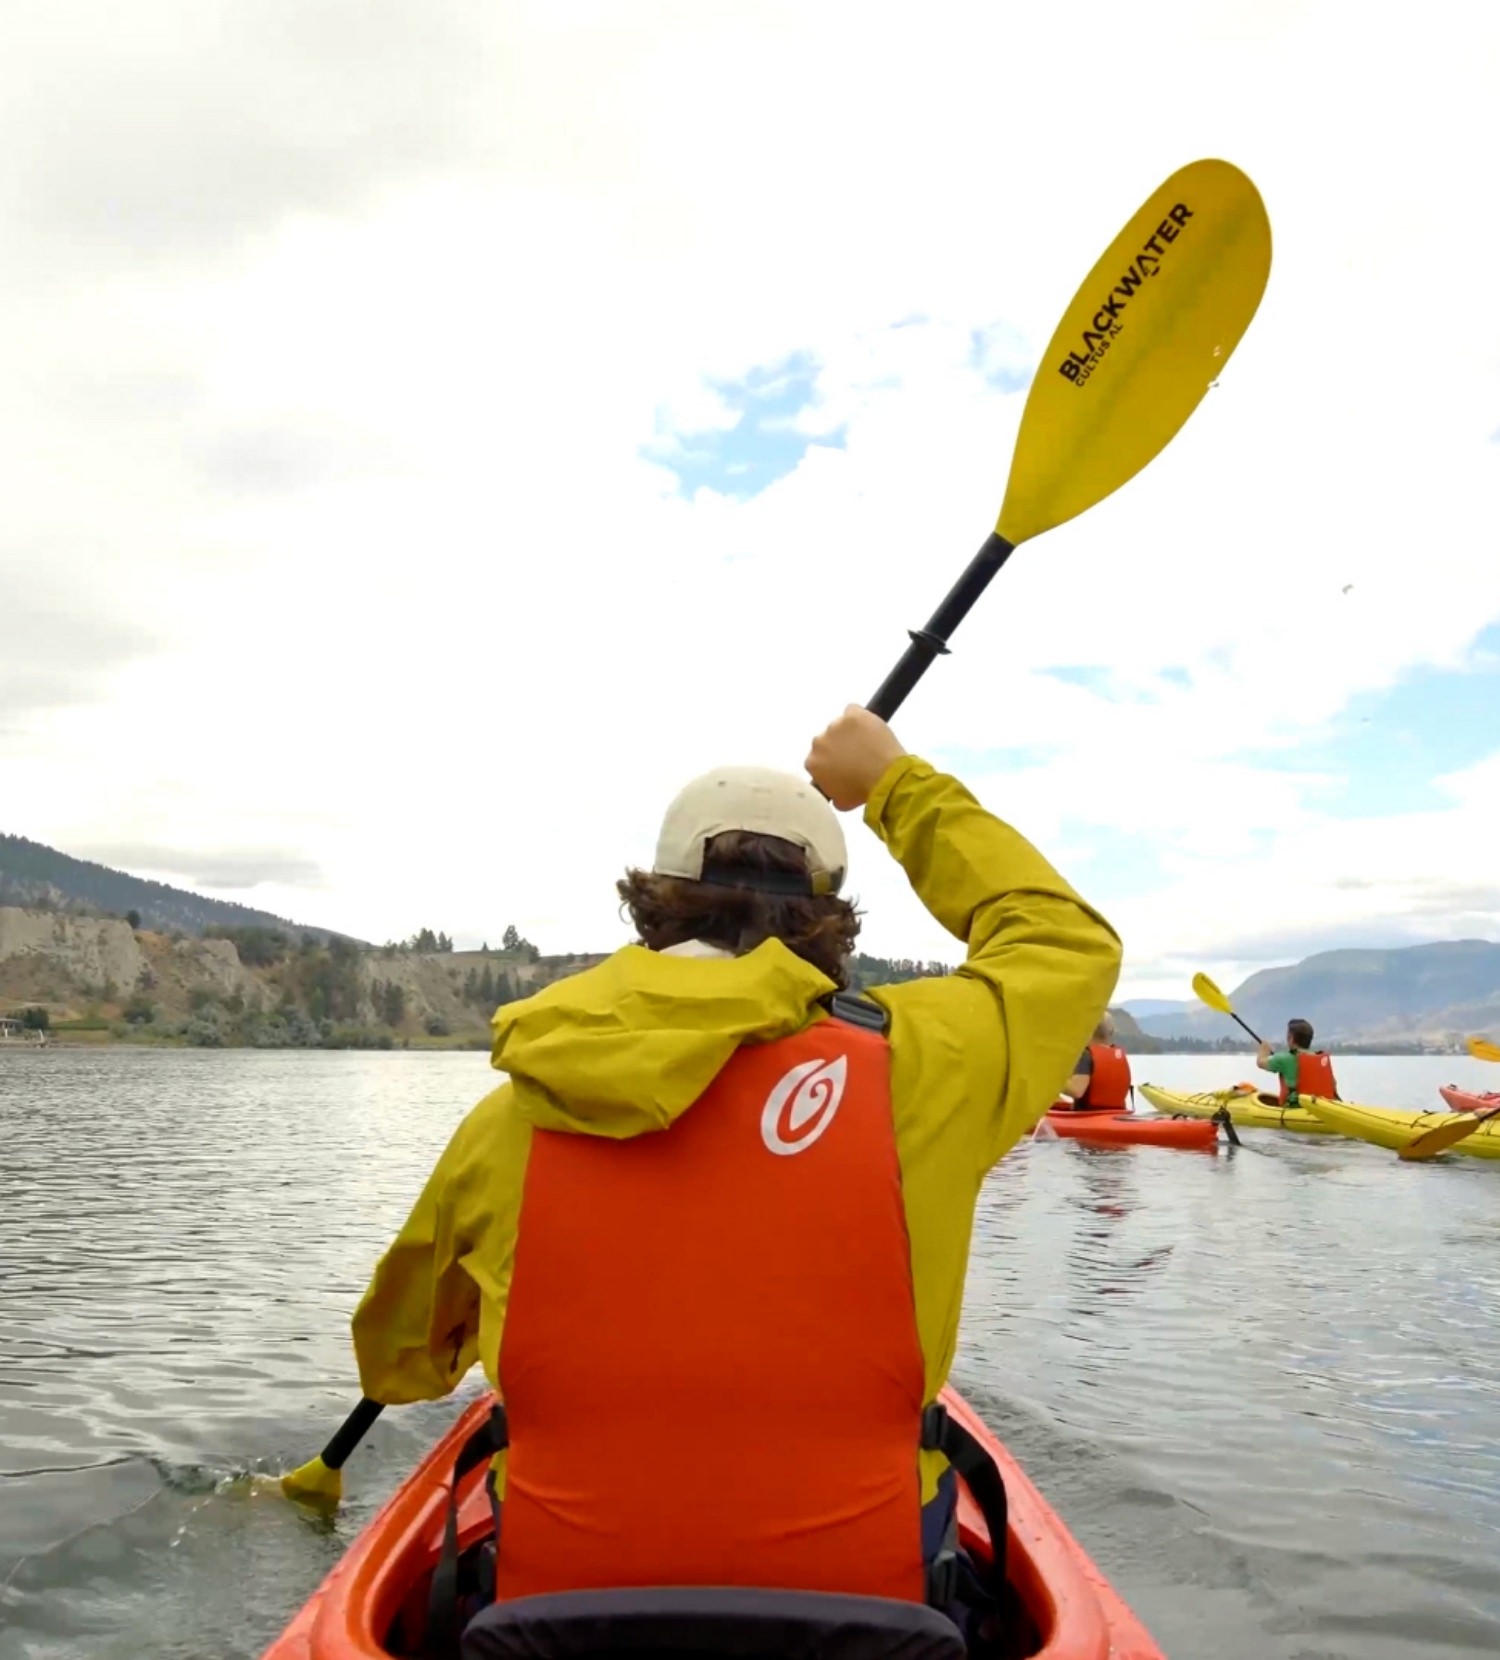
[671, 911]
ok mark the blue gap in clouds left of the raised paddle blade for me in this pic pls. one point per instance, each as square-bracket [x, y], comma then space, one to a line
[762, 446]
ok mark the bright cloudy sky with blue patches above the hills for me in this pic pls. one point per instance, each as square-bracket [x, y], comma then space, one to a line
[436, 432]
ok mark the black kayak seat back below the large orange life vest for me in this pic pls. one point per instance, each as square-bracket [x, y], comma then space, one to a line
[693, 1623]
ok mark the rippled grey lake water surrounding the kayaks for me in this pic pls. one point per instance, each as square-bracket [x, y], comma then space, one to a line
[1264, 1389]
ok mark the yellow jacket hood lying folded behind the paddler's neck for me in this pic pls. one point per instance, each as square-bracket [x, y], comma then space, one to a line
[628, 1047]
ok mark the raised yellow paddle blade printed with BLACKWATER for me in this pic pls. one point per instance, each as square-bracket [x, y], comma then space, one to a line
[1144, 339]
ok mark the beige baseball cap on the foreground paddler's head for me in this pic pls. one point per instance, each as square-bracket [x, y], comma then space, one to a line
[762, 803]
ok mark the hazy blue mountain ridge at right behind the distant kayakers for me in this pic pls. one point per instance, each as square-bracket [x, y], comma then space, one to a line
[1415, 994]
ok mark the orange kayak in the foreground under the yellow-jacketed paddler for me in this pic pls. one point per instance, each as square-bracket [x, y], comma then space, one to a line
[381, 1584]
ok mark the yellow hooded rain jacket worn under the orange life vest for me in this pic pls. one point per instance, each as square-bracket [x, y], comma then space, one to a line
[628, 1047]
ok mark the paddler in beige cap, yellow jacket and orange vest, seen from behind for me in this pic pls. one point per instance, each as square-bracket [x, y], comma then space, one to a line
[709, 1241]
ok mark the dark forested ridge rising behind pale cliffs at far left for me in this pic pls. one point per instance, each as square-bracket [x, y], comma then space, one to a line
[37, 876]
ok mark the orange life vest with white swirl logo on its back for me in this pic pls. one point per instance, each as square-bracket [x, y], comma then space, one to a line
[711, 1364]
